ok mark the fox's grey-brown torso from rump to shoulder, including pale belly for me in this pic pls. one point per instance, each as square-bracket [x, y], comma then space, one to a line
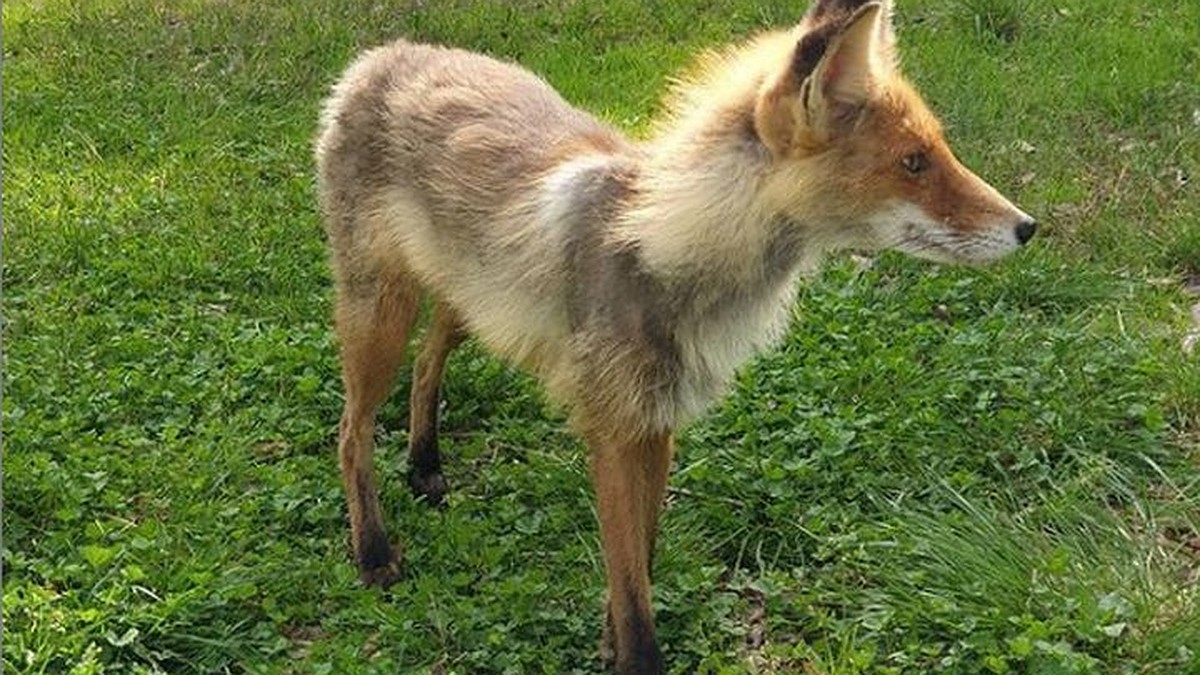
[436, 159]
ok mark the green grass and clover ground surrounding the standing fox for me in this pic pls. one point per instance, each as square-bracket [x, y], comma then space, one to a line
[939, 471]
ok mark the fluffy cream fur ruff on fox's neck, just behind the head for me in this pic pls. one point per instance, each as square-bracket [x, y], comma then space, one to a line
[700, 217]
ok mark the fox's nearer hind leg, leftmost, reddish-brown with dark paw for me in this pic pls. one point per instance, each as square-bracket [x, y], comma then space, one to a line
[374, 320]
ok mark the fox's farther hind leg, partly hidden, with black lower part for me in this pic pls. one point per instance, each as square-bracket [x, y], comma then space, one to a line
[425, 462]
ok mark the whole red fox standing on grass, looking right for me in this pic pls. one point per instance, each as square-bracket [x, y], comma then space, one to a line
[632, 278]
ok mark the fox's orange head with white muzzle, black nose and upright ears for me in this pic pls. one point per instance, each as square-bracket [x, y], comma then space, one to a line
[842, 122]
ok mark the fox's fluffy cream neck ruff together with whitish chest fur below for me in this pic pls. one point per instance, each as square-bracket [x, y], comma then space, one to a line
[725, 264]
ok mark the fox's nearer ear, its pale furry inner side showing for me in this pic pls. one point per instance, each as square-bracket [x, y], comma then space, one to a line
[853, 69]
